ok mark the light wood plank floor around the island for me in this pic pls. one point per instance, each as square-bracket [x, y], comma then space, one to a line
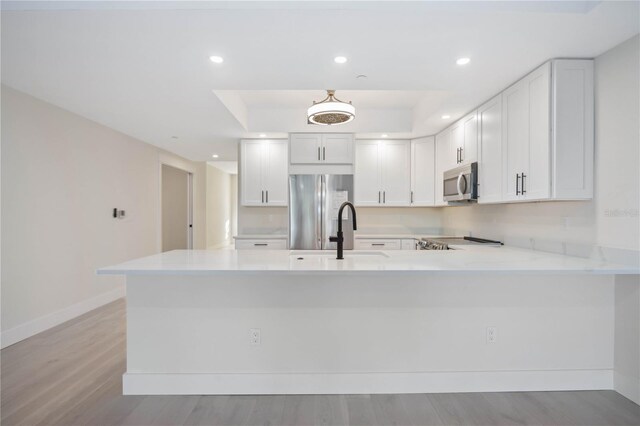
[72, 375]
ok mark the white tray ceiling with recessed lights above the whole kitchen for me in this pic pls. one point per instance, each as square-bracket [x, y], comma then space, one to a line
[142, 67]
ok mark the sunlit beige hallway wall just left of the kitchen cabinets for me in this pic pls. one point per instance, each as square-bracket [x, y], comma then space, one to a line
[221, 209]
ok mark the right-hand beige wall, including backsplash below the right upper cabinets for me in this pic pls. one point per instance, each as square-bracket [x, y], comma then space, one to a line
[611, 219]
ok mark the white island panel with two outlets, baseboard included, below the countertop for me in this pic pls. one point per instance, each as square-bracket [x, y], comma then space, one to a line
[369, 334]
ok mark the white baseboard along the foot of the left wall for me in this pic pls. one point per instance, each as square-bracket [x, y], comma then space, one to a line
[38, 325]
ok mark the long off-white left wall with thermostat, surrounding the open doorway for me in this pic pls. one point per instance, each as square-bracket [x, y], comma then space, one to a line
[61, 177]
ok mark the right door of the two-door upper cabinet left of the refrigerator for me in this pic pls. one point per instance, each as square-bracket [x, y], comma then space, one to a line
[275, 173]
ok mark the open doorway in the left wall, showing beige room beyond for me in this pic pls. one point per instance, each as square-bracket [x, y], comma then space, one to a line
[177, 210]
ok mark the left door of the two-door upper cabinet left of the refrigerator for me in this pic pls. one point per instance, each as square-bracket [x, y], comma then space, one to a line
[251, 172]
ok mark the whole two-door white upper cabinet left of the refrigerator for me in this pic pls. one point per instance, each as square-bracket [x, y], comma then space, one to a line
[263, 172]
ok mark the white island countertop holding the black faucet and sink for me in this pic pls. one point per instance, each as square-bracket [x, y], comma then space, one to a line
[466, 259]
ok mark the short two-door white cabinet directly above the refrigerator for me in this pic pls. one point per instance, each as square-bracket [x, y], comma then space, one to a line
[321, 148]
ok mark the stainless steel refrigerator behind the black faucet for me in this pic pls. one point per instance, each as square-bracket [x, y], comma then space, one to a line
[313, 211]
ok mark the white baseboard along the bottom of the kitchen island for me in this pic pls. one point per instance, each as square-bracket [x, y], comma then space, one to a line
[365, 383]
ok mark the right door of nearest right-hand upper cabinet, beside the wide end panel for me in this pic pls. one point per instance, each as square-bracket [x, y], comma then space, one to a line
[537, 183]
